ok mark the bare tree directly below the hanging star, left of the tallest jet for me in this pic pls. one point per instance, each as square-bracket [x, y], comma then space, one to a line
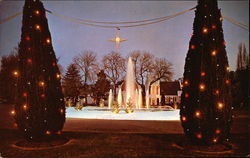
[114, 67]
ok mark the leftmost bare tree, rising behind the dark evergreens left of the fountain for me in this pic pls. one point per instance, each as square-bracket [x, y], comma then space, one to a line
[87, 63]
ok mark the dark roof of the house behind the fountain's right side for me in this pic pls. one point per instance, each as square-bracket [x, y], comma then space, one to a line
[169, 88]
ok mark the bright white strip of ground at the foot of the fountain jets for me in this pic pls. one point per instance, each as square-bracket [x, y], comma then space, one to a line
[105, 113]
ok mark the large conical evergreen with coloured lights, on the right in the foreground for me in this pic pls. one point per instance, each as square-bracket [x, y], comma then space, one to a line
[205, 103]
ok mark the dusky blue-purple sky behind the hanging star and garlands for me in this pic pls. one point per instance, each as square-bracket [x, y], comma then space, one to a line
[168, 39]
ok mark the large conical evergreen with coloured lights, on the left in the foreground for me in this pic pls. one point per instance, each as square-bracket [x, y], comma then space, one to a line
[40, 109]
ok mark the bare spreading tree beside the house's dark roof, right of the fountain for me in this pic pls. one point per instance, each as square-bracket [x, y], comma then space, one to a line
[162, 70]
